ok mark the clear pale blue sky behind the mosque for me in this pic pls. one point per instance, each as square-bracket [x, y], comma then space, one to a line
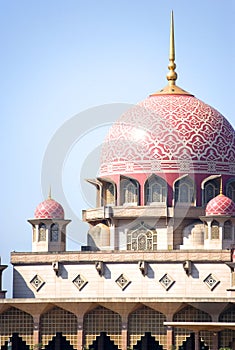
[61, 57]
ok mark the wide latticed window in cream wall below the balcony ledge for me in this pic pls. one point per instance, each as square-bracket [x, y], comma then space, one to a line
[142, 238]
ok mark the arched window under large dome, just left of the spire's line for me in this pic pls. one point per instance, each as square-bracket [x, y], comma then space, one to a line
[155, 190]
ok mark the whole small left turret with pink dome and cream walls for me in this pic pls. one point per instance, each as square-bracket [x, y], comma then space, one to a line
[49, 227]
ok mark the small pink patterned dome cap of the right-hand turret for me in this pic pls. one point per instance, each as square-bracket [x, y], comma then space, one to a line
[220, 205]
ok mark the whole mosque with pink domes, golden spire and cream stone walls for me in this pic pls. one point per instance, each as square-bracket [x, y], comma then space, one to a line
[158, 268]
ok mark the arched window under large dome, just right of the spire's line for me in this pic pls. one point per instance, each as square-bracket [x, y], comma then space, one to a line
[184, 190]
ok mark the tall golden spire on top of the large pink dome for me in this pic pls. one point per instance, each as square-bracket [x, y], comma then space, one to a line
[171, 88]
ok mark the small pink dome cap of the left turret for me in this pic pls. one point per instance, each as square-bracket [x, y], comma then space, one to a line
[49, 209]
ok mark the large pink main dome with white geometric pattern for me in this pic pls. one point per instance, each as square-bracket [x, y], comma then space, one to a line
[169, 133]
